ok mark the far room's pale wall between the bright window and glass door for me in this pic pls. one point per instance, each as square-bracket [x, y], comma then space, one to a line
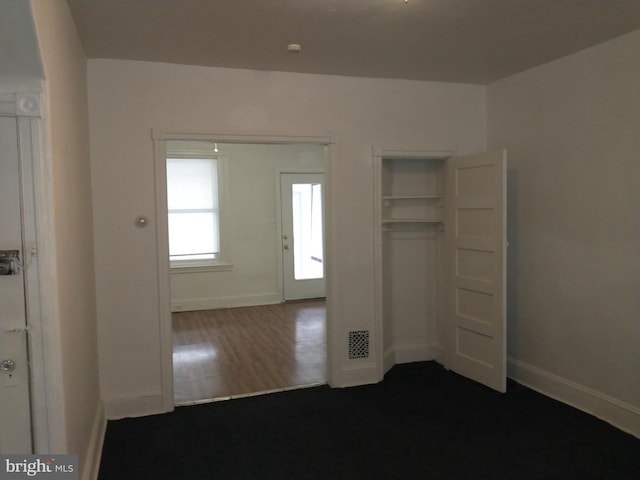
[252, 229]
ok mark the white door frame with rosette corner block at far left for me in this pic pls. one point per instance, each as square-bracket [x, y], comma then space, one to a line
[23, 101]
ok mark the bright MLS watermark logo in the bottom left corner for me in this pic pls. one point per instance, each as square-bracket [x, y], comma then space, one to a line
[51, 467]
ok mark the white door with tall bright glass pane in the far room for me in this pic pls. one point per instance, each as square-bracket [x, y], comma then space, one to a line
[302, 204]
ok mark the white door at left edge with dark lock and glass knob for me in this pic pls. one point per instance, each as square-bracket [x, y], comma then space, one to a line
[15, 418]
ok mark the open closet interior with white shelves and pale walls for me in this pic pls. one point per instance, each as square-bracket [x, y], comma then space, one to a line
[413, 248]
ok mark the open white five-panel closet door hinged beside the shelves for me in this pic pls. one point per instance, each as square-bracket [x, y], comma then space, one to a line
[476, 238]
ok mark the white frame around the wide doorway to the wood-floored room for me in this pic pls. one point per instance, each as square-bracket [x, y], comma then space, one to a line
[159, 137]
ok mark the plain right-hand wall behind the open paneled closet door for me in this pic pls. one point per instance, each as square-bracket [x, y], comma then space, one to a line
[572, 131]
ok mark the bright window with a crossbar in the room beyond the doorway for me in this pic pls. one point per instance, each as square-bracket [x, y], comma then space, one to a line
[193, 201]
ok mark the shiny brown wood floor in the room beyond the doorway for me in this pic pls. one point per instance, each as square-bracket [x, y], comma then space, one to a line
[237, 351]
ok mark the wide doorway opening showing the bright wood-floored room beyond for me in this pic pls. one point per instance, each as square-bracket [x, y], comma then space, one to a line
[231, 333]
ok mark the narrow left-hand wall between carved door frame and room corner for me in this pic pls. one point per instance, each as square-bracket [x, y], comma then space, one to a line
[81, 425]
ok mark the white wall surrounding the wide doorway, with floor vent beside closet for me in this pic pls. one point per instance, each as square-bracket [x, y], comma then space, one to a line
[127, 99]
